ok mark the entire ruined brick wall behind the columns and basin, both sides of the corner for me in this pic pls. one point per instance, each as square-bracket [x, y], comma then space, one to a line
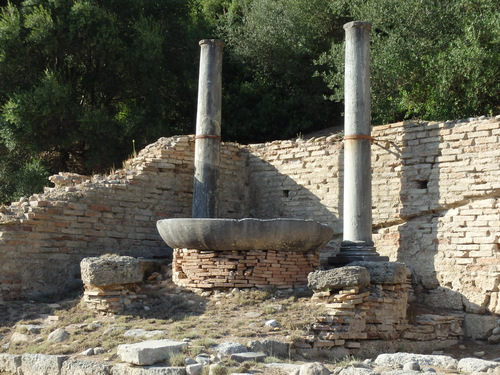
[436, 206]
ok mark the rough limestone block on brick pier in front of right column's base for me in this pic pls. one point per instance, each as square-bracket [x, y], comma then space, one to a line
[338, 278]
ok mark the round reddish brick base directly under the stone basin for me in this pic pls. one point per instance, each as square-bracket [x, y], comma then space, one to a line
[198, 269]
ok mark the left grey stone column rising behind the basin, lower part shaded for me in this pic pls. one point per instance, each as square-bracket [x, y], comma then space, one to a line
[208, 135]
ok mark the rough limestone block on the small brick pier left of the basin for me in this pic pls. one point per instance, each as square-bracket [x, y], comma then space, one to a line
[110, 270]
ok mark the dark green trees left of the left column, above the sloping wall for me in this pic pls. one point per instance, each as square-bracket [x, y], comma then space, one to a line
[79, 79]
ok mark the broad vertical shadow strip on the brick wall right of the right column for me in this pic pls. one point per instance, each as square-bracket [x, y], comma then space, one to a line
[425, 214]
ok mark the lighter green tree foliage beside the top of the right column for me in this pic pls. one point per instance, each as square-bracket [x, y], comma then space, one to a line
[430, 59]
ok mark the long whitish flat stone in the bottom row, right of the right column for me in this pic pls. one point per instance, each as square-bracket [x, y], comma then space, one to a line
[398, 360]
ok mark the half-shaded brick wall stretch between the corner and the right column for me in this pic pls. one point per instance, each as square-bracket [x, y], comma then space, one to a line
[292, 187]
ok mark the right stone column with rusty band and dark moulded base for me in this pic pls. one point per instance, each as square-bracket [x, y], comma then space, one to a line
[357, 242]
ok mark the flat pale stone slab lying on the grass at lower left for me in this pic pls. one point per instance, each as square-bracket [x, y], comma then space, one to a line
[149, 352]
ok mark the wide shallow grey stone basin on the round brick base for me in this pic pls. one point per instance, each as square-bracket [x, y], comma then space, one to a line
[244, 234]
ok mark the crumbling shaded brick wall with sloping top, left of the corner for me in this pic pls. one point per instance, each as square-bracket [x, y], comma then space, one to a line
[44, 237]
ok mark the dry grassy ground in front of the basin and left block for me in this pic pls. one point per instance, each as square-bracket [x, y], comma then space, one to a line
[204, 321]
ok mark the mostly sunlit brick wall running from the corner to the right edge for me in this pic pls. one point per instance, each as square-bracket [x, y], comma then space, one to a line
[436, 201]
